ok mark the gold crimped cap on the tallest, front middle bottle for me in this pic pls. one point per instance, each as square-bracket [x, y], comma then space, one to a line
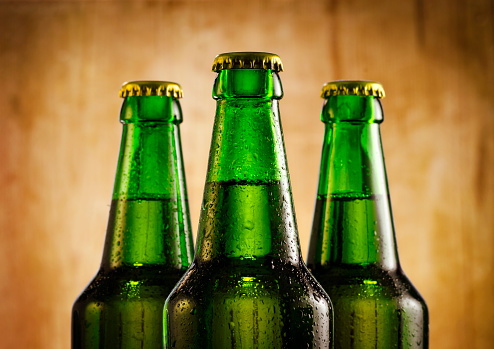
[247, 60]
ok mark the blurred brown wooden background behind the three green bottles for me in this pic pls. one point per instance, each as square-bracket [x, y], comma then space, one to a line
[62, 64]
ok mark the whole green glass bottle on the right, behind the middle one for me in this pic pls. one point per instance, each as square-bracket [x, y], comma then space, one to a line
[353, 251]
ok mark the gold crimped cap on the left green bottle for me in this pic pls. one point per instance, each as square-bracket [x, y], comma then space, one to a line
[151, 88]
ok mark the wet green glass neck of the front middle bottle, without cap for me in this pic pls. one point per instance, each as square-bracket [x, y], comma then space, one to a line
[247, 214]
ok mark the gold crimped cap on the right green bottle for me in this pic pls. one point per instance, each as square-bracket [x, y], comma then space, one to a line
[352, 87]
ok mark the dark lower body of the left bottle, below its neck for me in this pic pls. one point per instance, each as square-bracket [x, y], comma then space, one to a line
[123, 310]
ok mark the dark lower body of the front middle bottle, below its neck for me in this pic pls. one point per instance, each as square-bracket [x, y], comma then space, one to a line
[271, 307]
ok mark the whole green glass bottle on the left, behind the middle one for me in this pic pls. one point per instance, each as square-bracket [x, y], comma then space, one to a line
[148, 243]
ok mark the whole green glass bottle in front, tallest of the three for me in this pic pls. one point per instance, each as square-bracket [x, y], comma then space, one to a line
[248, 286]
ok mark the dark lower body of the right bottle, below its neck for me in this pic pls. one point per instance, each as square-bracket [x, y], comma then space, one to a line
[375, 309]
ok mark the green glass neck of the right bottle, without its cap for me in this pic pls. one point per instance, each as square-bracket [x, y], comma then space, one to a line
[353, 223]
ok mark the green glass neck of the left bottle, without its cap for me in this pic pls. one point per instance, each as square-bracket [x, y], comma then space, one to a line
[149, 222]
